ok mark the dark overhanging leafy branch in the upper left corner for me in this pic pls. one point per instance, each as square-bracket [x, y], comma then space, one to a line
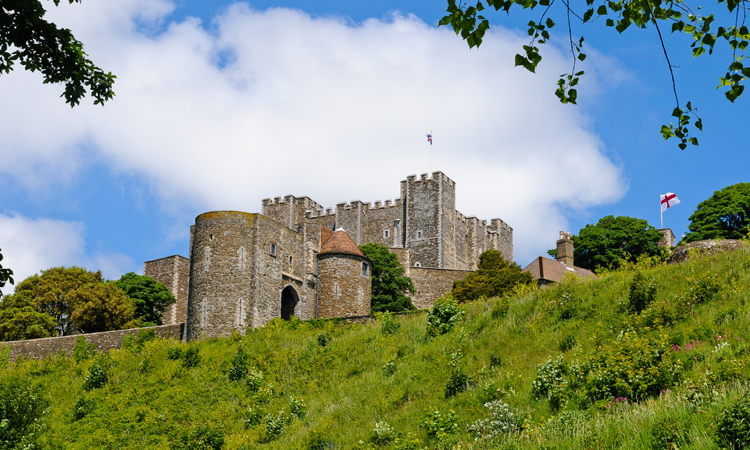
[26, 38]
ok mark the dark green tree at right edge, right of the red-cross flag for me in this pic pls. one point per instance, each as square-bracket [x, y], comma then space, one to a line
[725, 215]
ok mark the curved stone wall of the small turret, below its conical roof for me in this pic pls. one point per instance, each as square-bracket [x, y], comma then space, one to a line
[343, 291]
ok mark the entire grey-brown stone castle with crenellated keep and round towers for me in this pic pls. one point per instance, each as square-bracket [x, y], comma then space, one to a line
[300, 259]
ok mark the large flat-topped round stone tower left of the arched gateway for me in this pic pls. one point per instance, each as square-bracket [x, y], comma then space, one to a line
[220, 273]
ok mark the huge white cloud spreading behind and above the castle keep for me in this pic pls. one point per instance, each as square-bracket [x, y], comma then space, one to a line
[313, 106]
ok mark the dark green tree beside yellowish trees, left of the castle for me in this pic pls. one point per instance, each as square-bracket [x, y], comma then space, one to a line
[151, 298]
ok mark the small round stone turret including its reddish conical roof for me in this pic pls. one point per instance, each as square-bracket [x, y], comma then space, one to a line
[345, 278]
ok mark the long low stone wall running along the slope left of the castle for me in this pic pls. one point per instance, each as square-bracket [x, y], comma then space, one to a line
[103, 342]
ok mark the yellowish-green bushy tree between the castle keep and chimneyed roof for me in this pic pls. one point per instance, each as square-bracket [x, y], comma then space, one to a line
[495, 277]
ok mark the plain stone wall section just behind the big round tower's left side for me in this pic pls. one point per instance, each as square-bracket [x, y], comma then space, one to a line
[173, 272]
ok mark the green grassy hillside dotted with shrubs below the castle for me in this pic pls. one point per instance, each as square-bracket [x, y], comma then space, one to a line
[572, 366]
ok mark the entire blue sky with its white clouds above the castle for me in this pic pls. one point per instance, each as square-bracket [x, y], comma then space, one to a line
[220, 104]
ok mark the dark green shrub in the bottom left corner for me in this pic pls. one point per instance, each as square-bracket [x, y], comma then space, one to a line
[22, 411]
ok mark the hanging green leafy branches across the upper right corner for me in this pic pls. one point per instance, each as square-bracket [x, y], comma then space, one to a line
[466, 20]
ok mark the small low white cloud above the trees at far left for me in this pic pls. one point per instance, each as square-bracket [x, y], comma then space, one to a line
[32, 245]
